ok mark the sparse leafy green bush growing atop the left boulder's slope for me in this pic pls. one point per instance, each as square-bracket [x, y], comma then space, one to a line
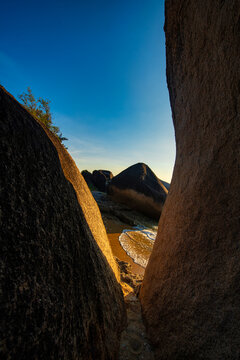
[40, 109]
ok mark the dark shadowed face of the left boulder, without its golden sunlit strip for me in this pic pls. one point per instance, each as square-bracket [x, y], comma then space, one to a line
[60, 298]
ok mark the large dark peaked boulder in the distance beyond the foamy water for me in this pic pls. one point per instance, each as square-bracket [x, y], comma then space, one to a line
[139, 187]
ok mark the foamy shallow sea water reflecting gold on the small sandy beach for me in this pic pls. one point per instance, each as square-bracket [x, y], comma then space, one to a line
[138, 243]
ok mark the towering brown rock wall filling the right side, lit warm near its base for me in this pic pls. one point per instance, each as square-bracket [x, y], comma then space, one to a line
[190, 294]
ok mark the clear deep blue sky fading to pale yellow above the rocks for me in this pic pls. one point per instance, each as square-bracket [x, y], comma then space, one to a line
[102, 65]
